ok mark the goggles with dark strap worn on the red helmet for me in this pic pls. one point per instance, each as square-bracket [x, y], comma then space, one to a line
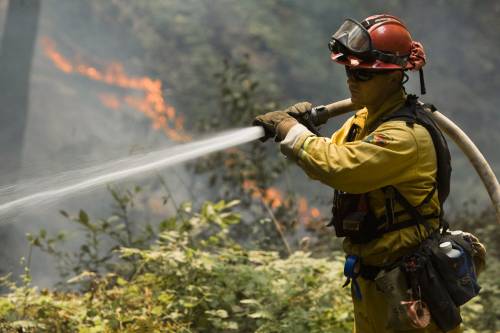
[352, 38]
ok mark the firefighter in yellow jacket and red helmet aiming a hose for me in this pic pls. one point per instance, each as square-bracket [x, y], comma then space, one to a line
[384, 171]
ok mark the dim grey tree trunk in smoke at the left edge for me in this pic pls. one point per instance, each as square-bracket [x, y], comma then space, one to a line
[15, 67]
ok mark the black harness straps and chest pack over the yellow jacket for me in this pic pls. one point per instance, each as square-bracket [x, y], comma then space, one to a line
[352, 215]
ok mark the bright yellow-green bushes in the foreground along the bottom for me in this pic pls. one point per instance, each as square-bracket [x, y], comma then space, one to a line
[194, 278]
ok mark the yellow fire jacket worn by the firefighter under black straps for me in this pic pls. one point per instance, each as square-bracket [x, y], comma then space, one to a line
[392, 154]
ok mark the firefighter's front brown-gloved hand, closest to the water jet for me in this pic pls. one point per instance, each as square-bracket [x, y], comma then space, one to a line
[275, 123]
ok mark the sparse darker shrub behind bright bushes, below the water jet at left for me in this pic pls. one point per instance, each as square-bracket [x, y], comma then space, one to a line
[101, 239]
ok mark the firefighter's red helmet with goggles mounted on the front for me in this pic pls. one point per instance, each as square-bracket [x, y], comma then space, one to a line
[379, 42]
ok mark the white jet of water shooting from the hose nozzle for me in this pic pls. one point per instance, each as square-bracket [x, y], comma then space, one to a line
[68, 183]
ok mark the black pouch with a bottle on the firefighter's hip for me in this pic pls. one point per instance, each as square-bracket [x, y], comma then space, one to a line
[458, 274]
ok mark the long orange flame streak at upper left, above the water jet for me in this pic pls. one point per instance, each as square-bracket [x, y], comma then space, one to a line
[153, 105]
